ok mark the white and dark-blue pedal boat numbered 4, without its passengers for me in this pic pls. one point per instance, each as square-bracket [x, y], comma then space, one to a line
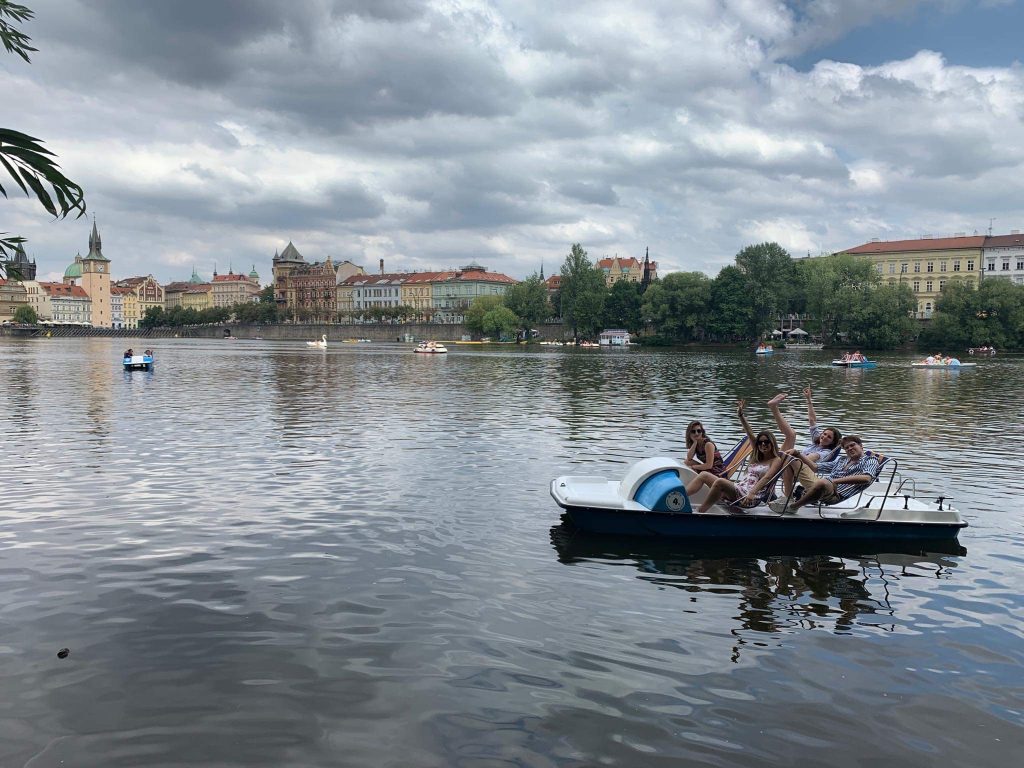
[652, 501]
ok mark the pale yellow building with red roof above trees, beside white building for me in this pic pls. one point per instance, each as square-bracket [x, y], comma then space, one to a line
[926, 265]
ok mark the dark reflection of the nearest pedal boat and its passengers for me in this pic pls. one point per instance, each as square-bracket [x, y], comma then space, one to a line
[778, 587]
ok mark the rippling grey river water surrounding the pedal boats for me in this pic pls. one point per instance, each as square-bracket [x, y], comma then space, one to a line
[264, 554]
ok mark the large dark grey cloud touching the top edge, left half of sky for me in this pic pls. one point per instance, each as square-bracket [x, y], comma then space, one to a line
[317, 67]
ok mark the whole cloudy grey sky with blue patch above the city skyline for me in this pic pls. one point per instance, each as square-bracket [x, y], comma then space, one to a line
[433, 134]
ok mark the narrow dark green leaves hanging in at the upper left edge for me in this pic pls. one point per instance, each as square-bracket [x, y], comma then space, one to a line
[23, 157]
